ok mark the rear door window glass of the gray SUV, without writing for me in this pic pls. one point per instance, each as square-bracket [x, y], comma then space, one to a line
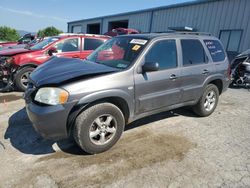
[193, 52]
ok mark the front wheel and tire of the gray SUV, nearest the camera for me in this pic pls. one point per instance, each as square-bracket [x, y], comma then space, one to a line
[99, 127]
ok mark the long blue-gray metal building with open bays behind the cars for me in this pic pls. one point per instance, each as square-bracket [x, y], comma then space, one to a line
[226, 19]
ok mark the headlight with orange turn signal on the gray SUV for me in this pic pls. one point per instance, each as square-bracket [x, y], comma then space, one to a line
[51, 96]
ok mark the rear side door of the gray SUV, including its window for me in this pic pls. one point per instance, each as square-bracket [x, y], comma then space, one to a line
[195, 69]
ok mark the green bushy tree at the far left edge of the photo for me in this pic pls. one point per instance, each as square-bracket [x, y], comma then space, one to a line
[8, 34]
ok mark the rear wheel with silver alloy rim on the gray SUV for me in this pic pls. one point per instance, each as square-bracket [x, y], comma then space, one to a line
[208, 102]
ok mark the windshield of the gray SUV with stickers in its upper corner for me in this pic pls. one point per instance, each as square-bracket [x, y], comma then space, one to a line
[118, 52]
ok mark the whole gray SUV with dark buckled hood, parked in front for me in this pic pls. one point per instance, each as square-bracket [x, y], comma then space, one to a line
[126, 78]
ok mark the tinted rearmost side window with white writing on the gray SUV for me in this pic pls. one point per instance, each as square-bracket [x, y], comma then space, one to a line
[215, 49]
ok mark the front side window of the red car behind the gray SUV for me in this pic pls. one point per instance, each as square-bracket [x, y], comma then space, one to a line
[68, 45]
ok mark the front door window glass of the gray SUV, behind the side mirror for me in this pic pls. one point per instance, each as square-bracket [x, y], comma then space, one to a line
[163, 52]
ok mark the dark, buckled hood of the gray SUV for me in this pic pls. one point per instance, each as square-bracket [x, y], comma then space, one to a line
[58, 70]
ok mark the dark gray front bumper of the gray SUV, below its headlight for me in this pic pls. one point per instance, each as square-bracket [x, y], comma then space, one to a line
[50, 121]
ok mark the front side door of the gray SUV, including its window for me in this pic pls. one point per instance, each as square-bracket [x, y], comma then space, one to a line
[158, 89]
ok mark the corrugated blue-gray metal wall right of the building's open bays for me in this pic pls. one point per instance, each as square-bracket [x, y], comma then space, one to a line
[208, 17]
